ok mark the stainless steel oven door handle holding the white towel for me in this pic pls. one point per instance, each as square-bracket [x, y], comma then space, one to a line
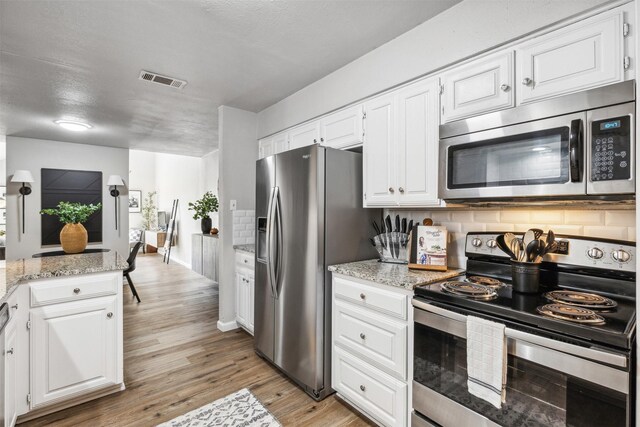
[456, 324]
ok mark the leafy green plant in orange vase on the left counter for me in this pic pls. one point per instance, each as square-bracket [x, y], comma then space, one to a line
[73, 236]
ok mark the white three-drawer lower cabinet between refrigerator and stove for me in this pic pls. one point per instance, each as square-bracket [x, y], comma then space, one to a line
[371, 345]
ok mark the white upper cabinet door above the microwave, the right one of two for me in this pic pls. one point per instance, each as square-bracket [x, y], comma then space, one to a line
[581, 56]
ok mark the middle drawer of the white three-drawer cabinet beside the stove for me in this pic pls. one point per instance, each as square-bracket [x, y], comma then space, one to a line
[378, 339]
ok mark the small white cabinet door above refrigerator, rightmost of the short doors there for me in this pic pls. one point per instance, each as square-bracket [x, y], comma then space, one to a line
[342, 129]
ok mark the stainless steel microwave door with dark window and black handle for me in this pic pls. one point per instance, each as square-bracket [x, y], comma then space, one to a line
[535, 159]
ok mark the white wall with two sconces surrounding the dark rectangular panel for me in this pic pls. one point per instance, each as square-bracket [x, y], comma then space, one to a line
[35, 154]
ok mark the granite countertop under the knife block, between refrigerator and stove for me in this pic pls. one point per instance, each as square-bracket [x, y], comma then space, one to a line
[396, 275]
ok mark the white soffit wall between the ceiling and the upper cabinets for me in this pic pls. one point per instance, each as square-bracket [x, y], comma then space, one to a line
[470, 27]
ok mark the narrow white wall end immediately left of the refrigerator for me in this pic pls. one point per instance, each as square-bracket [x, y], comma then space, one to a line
[237, 154]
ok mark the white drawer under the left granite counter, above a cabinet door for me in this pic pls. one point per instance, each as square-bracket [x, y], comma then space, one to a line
[63, 289]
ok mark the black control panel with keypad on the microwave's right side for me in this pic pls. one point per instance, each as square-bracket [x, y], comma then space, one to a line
[611, 149]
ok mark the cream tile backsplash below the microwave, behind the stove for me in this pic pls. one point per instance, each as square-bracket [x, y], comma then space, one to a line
[610, 223]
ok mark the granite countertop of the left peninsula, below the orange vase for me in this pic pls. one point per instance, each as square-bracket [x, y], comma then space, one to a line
[65, 265]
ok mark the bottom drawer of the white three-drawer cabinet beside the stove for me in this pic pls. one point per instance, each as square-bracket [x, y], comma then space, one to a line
[374, 392]
